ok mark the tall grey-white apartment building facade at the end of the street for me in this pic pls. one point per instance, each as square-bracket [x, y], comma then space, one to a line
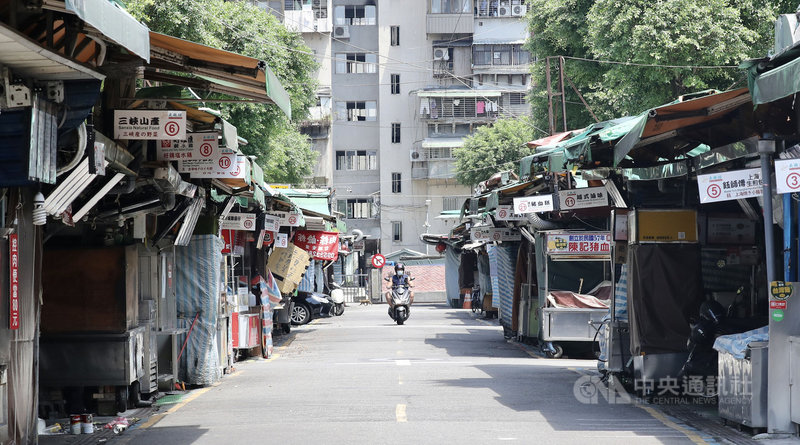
[401, 84]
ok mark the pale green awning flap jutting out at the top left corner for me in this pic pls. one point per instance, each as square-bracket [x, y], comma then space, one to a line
[113, 21]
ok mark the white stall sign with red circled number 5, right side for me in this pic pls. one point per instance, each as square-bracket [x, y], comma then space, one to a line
[728, 186]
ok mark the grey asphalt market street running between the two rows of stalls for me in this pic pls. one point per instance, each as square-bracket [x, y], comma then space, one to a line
[444, 377]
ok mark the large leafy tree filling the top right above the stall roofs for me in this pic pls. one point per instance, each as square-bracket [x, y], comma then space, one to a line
[643, 32]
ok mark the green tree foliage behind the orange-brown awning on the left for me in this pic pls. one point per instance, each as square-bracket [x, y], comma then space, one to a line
[283, 152]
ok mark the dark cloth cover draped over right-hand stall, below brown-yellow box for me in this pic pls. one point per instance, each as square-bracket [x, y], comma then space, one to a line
[664, 290]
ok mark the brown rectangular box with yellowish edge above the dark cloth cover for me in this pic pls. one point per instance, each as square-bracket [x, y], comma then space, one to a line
[662, 226]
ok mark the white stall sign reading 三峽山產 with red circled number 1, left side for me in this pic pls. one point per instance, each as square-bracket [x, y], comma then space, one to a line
[150, 124]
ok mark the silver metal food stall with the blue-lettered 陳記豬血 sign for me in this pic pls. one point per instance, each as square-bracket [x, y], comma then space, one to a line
[571, 324]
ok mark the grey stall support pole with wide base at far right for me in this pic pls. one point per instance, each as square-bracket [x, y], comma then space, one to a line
[778, 397]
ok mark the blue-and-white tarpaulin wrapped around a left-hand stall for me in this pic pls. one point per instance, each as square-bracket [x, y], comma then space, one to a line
[197, 281]
